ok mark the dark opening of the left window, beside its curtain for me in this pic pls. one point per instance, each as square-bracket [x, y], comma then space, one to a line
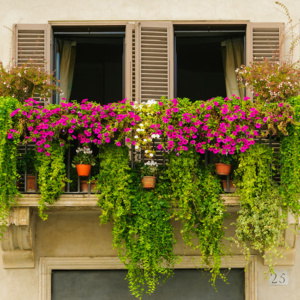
[97, 62]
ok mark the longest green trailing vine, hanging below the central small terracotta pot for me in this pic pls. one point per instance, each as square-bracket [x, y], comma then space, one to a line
[142, 231]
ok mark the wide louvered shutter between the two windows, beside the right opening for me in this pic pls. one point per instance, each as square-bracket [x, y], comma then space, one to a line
[154, 60]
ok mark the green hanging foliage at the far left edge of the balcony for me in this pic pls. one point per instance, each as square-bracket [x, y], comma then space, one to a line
[8, 158]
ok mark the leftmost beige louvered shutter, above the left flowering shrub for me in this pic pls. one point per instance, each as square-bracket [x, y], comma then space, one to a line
[33, 43]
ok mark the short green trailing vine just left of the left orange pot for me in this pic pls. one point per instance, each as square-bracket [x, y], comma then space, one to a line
[52, 176]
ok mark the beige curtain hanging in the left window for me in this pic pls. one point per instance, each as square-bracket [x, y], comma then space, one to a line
[67, 65]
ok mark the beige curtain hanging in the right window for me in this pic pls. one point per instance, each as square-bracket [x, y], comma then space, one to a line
[233, 58]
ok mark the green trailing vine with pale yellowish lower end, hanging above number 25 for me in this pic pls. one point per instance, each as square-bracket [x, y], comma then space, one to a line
[260, 221]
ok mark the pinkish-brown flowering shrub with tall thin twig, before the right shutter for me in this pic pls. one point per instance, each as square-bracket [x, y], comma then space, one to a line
[269, 79]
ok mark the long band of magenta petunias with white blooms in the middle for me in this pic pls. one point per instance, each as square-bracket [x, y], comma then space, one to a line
[219, 125]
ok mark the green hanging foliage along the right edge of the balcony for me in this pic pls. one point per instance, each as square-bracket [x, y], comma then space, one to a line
[290, 162]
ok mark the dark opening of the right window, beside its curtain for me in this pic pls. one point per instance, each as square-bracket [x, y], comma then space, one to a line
[200, 55]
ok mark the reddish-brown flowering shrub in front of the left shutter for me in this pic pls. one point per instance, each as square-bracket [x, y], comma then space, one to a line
[25, 81]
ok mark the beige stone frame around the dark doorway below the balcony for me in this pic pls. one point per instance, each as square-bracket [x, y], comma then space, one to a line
[47, 264]
